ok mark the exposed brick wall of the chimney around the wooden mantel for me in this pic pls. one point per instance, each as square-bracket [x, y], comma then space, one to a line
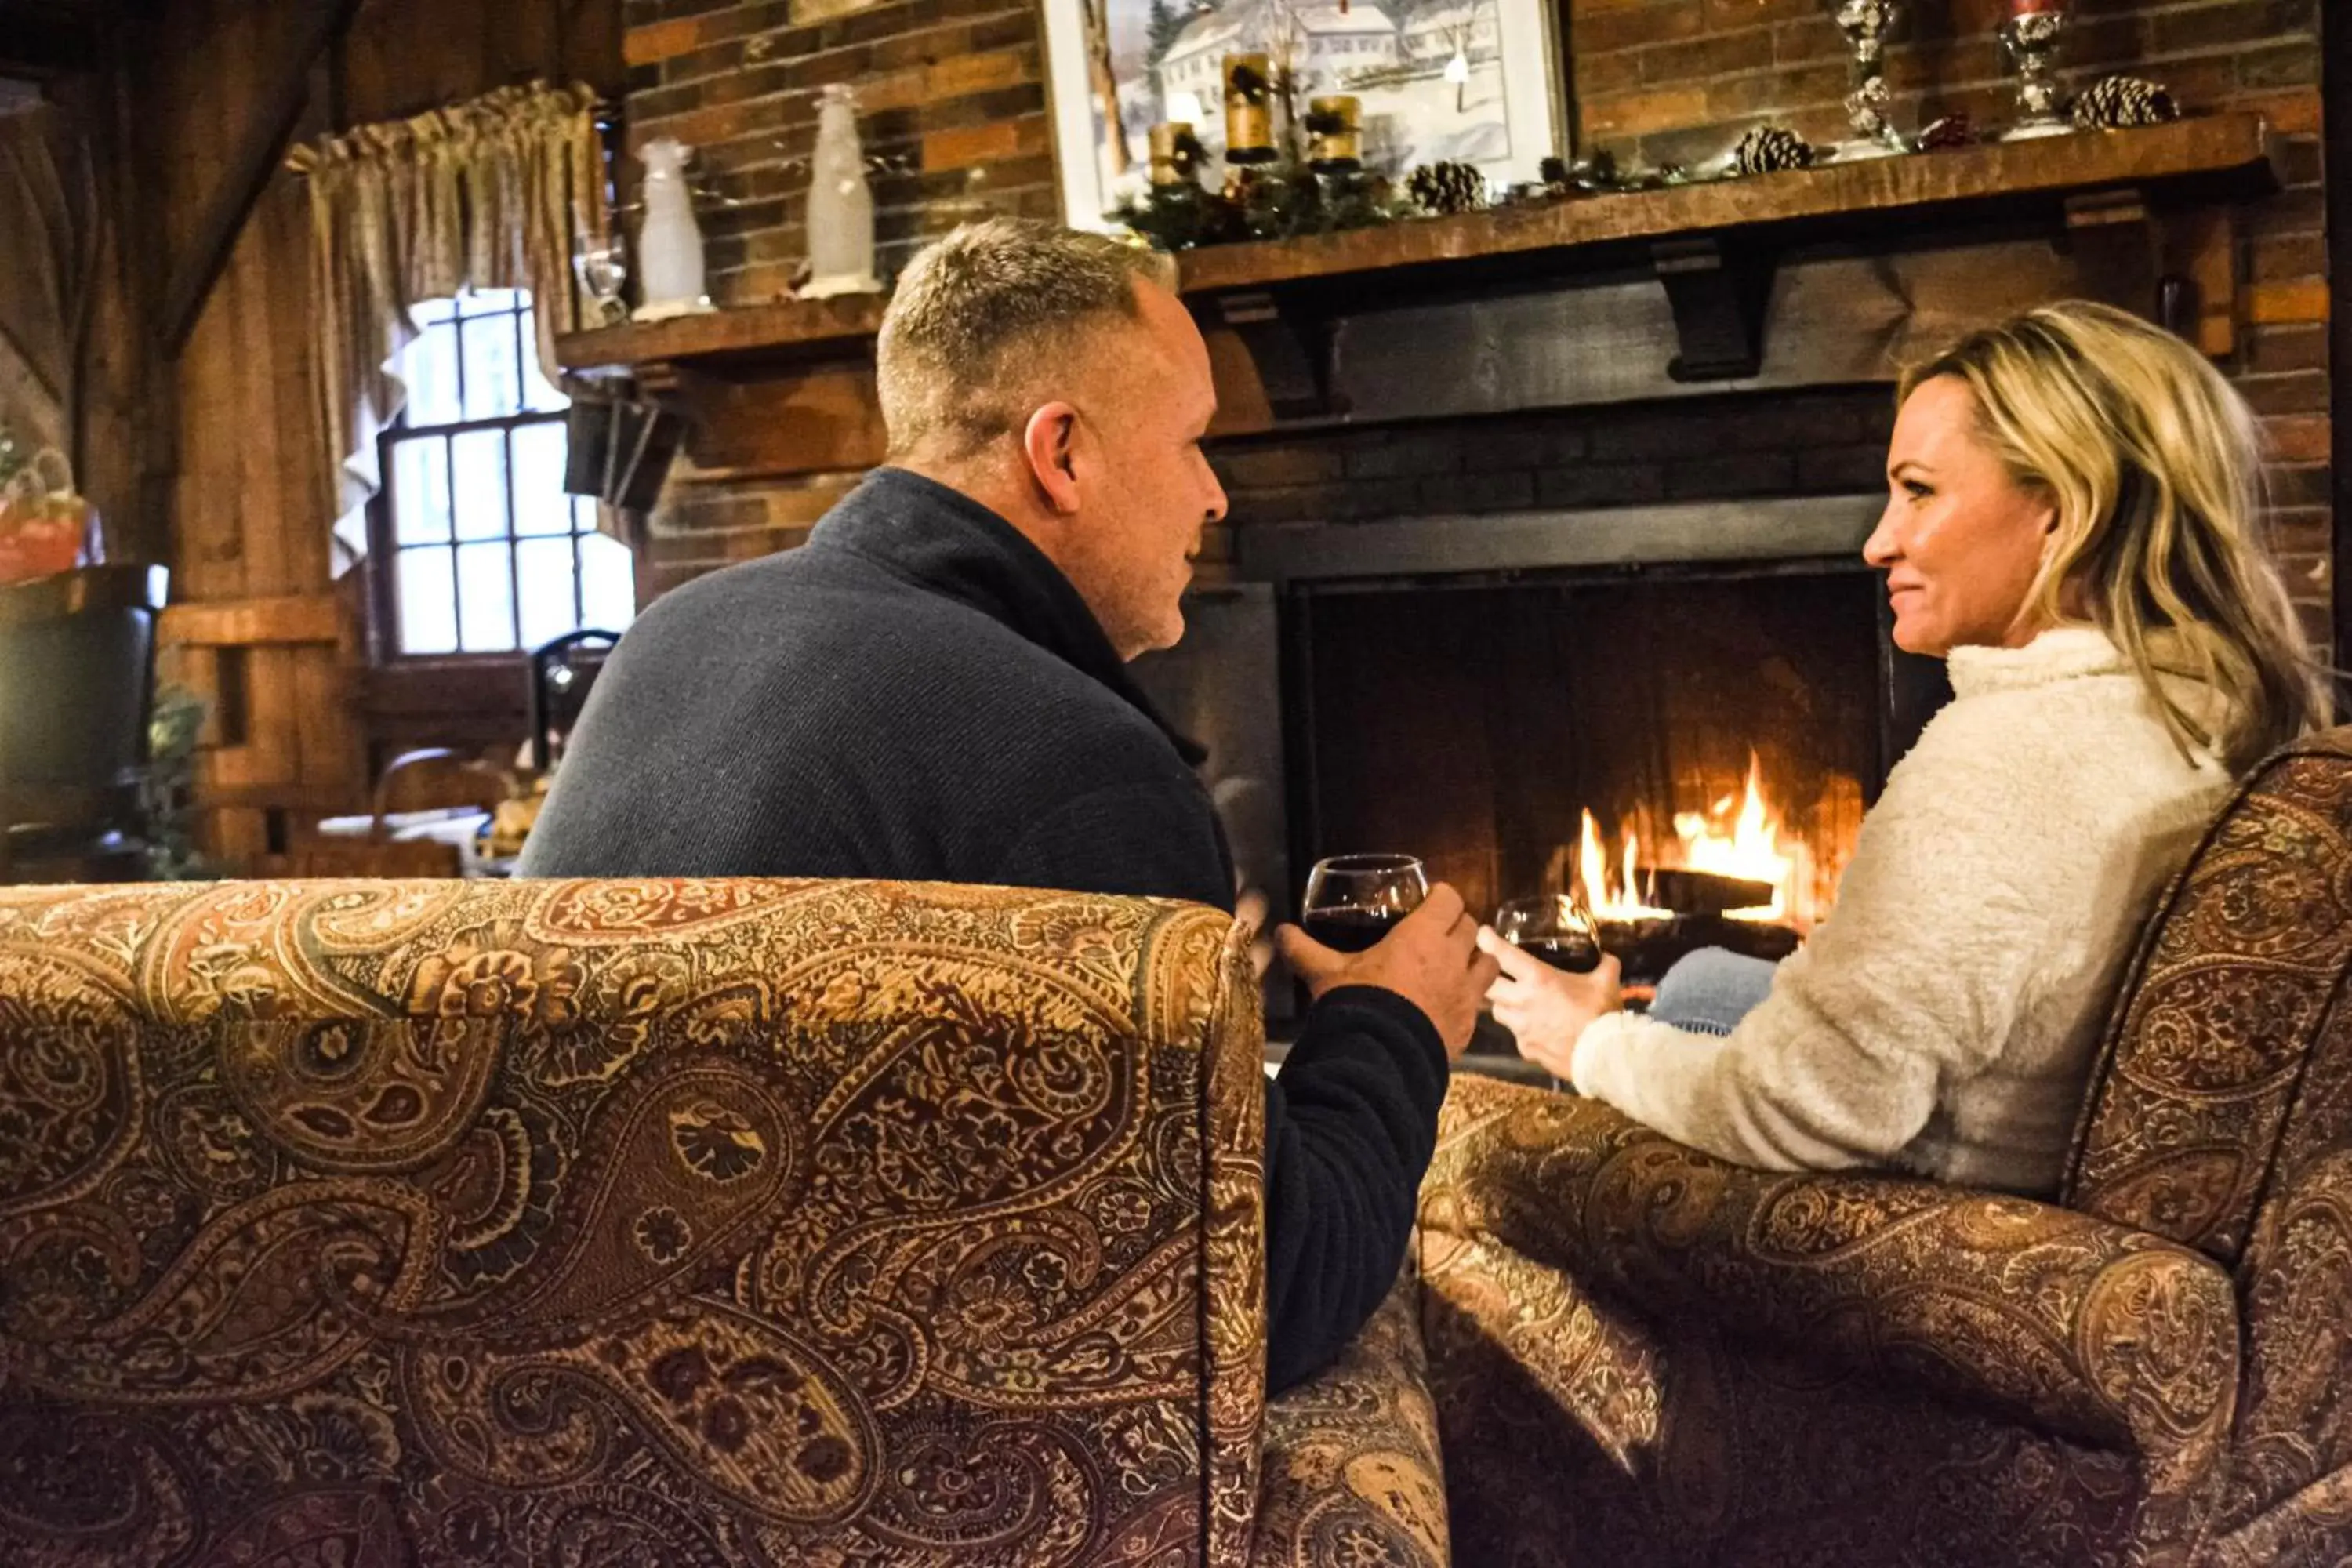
[956, 88]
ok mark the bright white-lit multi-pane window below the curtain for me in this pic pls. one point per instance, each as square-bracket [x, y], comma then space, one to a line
[479, 547]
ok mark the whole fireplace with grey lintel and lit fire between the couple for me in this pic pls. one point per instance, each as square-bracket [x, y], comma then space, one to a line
[1474, 688]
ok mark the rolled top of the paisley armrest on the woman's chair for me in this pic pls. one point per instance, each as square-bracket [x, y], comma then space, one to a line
[2085, 1327]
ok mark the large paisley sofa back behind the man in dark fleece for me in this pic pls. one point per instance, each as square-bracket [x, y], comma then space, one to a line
[624, 1221]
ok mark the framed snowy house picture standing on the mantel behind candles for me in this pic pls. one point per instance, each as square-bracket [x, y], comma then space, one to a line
[1471, 81]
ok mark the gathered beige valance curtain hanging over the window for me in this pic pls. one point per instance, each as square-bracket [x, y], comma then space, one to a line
[486, 194]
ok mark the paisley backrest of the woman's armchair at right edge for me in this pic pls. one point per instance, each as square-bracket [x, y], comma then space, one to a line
[2221, 1118]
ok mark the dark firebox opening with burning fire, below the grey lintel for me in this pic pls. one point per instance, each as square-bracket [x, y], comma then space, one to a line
[1544, 737]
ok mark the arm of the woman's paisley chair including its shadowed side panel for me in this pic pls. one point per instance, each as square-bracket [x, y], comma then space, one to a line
[1746, 1358]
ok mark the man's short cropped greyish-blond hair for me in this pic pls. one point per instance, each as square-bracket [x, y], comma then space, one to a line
[982, 314]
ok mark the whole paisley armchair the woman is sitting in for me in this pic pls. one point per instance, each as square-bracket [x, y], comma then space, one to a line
[1645, 1355]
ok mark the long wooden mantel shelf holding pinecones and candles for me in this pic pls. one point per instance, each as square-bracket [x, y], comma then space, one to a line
[1685, 232]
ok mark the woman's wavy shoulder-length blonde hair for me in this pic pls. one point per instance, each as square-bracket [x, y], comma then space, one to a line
[2156, 469]
